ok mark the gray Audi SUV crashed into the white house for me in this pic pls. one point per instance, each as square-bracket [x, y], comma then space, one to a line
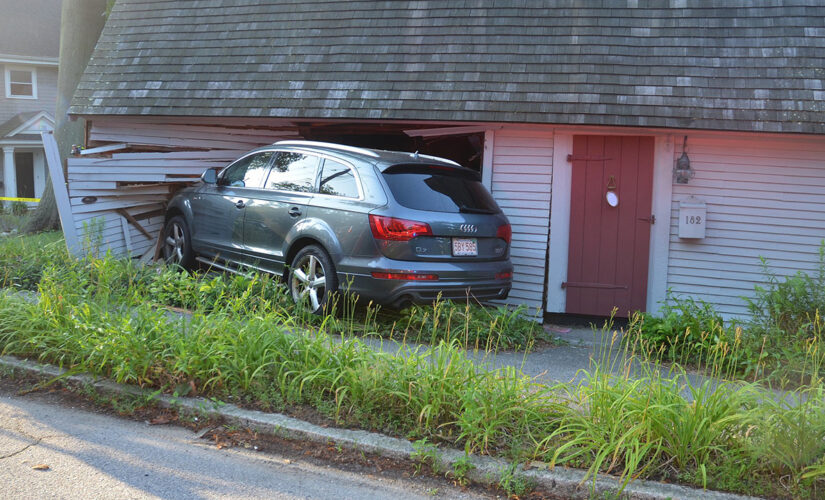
[391, 227]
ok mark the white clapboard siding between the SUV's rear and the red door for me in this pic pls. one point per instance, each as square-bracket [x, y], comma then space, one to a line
[521, 180]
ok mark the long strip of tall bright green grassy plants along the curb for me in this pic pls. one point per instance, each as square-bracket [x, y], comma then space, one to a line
[625, 416]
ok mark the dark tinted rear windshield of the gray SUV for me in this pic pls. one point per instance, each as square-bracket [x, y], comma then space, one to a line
[439, 189]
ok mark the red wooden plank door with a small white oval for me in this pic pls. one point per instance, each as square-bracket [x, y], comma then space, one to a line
[609, 245]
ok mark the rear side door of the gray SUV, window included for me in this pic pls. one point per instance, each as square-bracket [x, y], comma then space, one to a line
[277, 207]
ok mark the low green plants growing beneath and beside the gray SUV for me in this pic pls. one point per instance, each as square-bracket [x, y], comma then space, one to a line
[24, 259]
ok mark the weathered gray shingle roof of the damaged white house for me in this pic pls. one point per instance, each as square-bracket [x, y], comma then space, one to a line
[755, 65]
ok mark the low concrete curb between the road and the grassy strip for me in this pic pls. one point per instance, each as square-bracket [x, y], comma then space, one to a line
[567, 483]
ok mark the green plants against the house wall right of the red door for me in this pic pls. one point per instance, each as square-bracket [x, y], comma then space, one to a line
[772, 345]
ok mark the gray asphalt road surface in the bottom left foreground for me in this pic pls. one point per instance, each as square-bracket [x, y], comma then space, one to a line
[95, 455]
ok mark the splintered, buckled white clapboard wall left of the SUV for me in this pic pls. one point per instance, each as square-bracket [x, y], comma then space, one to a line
[119, 187]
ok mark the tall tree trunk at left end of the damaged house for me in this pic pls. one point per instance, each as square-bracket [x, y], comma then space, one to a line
[80, 26]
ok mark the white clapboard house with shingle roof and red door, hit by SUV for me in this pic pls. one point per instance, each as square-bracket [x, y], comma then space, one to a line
[636, 148]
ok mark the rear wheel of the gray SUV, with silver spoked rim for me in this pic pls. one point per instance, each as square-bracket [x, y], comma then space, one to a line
[312, 278]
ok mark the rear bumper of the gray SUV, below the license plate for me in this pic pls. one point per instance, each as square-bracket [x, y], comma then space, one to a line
[456, 281]
